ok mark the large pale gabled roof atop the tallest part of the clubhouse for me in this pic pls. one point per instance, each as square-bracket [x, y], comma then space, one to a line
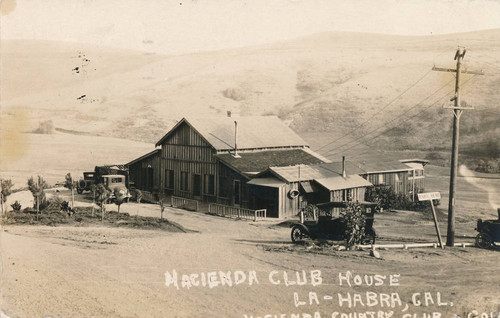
[254, 132]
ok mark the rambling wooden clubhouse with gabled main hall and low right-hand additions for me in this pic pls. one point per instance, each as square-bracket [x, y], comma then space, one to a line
[258, 162]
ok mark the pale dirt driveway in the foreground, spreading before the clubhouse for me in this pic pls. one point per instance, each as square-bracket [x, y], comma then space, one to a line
[116, 272]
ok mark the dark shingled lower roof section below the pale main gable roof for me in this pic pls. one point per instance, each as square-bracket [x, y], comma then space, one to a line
[261, 160]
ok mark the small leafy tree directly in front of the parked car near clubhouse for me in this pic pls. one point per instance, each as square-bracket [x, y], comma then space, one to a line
[354, 223]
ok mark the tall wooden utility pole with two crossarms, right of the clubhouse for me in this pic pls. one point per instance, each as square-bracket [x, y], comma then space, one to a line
[457, 113]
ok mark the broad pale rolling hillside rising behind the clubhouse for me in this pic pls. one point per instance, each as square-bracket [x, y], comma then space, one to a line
[379, 89]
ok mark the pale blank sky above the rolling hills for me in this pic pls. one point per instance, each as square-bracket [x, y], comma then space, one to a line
[184, 26]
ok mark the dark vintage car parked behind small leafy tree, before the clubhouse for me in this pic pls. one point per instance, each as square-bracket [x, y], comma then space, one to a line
[330, 227]
